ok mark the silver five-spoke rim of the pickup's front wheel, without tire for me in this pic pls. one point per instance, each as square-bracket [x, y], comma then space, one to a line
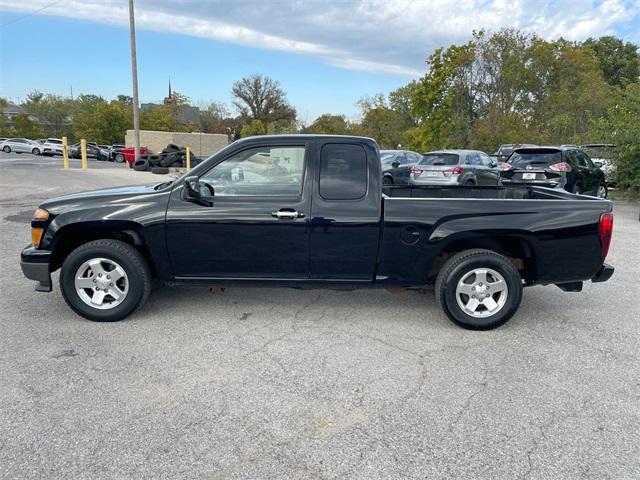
[101, 283]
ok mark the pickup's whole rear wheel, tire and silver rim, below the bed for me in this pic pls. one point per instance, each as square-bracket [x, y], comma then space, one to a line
[479, 289]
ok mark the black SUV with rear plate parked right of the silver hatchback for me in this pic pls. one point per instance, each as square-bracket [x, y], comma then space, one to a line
[564, 167]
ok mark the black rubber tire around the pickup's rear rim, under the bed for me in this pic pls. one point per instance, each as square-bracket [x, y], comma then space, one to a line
[460, 265]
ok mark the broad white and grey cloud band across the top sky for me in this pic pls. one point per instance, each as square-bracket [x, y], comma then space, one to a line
[386, 36]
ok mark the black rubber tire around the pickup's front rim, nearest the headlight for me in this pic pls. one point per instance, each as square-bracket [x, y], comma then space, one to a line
[131, 261]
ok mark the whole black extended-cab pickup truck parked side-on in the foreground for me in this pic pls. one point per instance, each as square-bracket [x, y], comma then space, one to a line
[311, 211]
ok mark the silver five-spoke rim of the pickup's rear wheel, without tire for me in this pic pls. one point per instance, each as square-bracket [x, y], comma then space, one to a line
[482, 292]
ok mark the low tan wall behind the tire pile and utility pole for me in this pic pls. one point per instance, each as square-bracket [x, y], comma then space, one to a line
[201, 144]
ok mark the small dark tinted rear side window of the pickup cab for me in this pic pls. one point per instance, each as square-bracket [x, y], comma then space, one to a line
[343, 172]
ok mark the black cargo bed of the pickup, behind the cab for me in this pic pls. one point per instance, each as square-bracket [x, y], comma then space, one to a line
[555, 230]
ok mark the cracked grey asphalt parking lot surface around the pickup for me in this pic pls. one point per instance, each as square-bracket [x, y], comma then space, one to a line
[283, 383]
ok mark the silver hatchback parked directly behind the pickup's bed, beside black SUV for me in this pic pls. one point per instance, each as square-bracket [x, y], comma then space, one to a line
[455, 167]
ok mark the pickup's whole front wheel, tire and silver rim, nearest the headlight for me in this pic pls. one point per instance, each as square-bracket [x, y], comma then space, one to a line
[105, 280]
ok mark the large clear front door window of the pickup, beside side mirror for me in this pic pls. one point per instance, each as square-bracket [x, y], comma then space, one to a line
[259, 171]
